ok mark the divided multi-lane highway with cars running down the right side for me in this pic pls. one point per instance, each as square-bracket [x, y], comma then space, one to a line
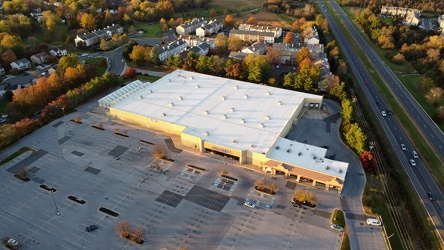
[419, 175]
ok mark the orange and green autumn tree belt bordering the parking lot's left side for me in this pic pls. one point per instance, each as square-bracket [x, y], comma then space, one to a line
[71, 85]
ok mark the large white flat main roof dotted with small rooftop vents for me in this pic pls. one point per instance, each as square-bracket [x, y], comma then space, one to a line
[222, 111]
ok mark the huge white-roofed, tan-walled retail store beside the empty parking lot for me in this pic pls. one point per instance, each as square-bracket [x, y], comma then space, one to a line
[241, 120]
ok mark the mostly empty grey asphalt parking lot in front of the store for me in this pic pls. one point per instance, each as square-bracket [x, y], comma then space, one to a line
[174, 204]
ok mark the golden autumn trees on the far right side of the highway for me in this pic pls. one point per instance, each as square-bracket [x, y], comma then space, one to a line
[403, 44]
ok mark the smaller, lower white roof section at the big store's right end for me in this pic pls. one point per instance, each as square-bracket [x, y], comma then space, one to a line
[307, 156]
